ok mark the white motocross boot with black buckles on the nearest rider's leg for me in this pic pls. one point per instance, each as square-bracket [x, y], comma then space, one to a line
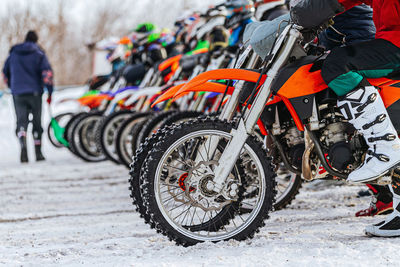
[365, 109]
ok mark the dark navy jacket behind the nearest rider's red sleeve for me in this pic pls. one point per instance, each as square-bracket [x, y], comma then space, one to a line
[355, 25]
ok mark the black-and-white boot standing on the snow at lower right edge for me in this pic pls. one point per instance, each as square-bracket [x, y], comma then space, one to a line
[391, 226]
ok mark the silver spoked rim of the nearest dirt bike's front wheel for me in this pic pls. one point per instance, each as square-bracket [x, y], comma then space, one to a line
[195, 211]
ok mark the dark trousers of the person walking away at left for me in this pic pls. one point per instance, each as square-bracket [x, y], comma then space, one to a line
[29, 104]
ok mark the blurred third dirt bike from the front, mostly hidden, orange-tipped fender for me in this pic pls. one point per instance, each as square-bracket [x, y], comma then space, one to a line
[131, 135]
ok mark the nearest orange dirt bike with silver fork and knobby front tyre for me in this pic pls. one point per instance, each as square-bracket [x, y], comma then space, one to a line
[193, 183]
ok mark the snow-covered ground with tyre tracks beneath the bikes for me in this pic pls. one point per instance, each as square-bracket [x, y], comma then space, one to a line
[68, 212]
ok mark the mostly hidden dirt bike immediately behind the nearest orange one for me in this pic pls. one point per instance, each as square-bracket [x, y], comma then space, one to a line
[288, 185]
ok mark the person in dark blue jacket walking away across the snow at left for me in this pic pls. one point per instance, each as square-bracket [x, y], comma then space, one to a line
[27, 72]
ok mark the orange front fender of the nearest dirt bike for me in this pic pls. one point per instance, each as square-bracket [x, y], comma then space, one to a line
[221, 74]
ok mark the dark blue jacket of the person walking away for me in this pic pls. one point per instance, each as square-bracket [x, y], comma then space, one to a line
[27, 70]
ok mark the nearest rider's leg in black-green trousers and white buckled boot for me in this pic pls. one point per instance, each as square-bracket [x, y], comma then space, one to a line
[344, 71]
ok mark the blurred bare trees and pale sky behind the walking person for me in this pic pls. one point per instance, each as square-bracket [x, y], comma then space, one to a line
[66, 27]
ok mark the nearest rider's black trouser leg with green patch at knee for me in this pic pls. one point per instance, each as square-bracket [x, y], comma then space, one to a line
[345, 67]
